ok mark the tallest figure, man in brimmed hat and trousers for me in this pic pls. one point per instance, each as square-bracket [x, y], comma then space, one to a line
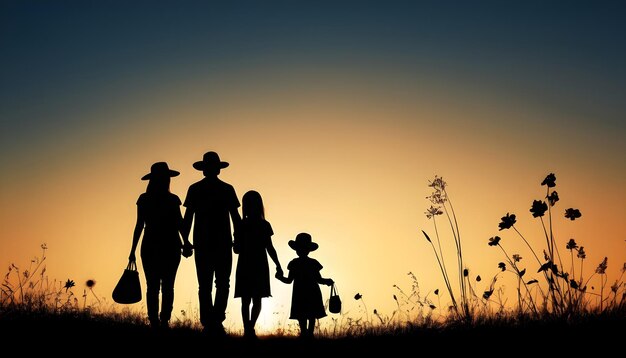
[213, 204]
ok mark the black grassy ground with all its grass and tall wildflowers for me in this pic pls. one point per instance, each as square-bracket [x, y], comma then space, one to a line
[554, 313]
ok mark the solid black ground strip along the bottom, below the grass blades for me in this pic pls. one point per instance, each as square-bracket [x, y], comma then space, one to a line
[33, 333]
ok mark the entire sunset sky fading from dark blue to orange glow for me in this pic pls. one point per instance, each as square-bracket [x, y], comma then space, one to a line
[337, 112]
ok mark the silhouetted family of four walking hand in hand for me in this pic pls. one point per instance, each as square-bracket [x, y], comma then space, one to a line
[211, 206]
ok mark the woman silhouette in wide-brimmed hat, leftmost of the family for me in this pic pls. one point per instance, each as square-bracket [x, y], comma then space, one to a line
[159, 218]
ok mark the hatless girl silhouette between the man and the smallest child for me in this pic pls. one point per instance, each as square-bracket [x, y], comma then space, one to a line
[253, 243]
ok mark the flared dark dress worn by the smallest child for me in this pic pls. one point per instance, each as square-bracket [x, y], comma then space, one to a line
[306, 297]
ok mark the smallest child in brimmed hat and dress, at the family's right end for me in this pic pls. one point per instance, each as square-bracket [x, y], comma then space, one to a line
[306, 297]
